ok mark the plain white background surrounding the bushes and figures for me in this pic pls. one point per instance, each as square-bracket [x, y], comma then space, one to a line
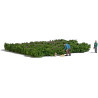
[48, 77]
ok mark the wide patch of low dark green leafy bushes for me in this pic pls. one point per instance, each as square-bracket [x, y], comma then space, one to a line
[46, 48]
